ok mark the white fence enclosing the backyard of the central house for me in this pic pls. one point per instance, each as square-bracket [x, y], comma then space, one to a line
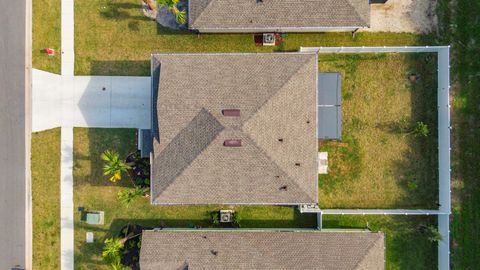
[444, 127]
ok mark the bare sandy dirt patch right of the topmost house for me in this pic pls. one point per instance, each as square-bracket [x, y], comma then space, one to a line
[404, 16]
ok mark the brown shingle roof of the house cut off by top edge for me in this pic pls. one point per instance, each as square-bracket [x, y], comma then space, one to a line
[272, 14]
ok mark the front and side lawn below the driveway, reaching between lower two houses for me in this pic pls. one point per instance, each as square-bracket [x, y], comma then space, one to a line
[93, 191]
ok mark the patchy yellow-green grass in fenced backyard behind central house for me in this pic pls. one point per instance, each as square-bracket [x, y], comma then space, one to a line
[378, 163]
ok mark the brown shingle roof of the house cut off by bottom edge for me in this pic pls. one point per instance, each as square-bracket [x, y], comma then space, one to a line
[261, 250]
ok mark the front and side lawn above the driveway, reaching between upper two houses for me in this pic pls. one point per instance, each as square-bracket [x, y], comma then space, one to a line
[114, 38]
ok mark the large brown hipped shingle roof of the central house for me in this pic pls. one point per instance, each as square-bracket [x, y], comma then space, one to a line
[276, 96]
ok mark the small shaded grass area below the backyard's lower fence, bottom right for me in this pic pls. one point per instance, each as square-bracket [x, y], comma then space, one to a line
[405, 246]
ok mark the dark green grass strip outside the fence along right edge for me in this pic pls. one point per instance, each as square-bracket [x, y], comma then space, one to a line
[459, 27]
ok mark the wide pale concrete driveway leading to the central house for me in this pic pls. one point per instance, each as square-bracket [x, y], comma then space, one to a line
[90, 101]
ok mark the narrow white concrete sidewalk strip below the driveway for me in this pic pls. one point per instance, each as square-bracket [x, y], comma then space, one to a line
[66, 199]
